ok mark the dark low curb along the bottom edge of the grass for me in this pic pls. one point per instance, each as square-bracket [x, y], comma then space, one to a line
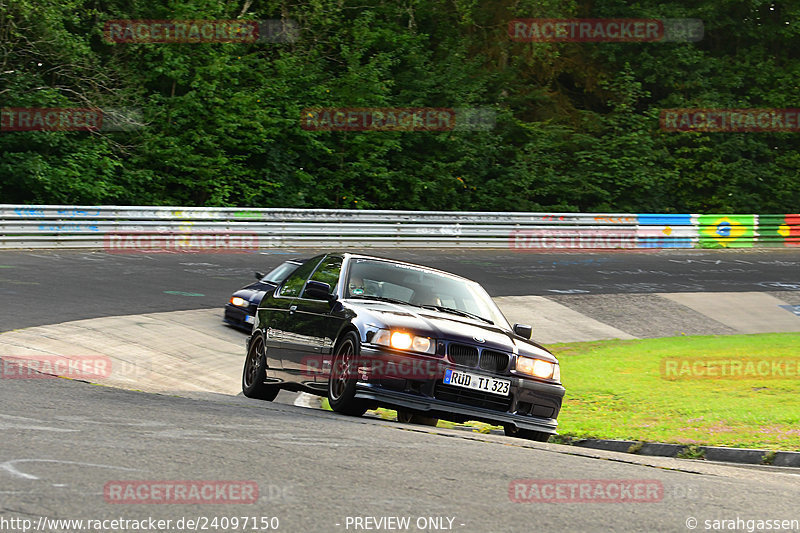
[707, 453]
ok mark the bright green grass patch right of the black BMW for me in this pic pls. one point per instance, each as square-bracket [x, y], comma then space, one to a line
[615, 390]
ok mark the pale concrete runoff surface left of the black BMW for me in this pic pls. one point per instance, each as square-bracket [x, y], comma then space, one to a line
[179, 351]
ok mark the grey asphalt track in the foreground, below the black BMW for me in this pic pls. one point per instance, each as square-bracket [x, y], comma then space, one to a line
[64, 441]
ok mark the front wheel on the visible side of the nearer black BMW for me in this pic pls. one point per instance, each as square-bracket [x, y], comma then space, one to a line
[342, 382]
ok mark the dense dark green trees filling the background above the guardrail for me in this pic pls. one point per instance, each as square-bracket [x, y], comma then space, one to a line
[577, 126]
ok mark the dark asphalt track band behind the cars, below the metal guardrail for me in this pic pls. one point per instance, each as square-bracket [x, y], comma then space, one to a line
[47, 287]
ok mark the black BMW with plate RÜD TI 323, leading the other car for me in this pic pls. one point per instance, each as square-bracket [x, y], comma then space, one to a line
[366, 331]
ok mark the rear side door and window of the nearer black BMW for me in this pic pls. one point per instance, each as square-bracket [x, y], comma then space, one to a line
[276, 310]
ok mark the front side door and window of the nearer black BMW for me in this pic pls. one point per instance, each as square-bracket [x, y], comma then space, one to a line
[314, 325]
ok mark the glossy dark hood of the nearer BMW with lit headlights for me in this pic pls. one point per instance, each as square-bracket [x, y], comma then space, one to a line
[445, 326]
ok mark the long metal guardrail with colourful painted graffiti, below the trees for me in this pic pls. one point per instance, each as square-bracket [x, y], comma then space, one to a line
[94, 227]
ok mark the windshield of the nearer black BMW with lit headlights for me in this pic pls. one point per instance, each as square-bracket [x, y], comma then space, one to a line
[421, 287]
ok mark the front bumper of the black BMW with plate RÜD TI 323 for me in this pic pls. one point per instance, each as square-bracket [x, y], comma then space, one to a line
[531, 404]
